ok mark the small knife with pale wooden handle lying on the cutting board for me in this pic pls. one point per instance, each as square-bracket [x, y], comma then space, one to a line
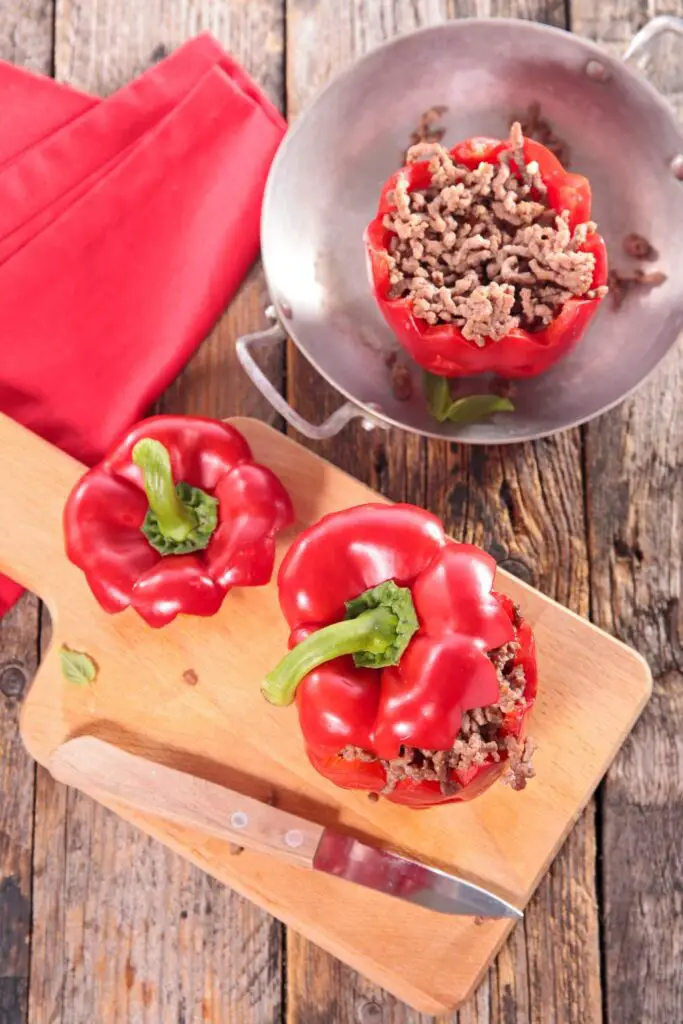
[96, 766]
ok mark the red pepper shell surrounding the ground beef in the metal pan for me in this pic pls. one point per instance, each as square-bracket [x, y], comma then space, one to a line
[443, 349]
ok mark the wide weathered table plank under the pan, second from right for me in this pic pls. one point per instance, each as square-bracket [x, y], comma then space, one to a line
[526, 505]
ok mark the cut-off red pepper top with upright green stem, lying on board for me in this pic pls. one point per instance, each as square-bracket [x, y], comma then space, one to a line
[163, 548]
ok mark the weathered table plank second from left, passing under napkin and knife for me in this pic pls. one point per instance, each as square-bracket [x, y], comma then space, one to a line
[124, 931]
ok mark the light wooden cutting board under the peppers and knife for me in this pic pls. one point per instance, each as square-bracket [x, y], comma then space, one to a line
[189, 697]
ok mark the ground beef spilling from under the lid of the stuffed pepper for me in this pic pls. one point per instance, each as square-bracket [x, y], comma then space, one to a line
[481, 740]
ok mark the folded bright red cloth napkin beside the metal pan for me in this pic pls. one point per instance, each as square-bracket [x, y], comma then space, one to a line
[126, 226]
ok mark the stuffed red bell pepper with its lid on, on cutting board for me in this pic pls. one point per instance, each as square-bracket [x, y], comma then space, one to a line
[413, 678]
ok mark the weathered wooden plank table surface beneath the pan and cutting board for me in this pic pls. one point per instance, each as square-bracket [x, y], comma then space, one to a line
[100, 925]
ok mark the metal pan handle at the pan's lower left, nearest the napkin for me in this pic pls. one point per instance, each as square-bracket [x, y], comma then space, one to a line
[276, 336]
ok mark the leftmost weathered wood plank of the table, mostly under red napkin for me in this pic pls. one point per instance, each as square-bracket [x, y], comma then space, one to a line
[26, 39]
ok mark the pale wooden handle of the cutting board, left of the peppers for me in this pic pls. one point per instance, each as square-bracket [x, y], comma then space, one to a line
[35, 482]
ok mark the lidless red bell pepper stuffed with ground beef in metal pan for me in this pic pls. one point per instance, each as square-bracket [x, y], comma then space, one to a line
[485, 258]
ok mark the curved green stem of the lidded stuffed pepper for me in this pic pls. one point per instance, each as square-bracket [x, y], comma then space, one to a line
[373, 632]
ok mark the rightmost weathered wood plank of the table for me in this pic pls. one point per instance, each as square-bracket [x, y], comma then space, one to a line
[634, 459]
